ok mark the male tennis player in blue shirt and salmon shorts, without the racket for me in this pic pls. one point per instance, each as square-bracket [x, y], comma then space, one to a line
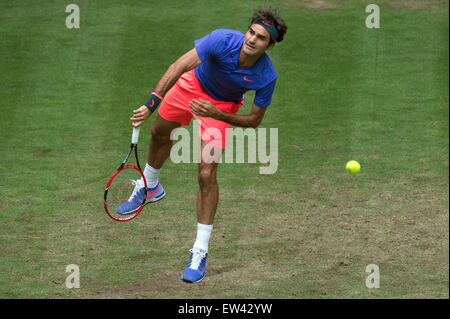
[208, 83]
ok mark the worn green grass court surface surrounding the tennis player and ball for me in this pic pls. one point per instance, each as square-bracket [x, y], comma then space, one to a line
[378, 96]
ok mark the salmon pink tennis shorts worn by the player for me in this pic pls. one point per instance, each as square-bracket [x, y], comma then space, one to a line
[175, 108]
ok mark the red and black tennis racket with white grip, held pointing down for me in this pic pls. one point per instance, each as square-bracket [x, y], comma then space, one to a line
[126, 190]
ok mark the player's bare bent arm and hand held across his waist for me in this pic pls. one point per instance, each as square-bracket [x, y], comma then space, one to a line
[207, 109]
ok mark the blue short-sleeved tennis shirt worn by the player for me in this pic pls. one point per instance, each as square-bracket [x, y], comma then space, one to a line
[219, 73]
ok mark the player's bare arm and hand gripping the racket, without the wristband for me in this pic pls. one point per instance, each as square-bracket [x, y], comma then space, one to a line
[185, 63]
